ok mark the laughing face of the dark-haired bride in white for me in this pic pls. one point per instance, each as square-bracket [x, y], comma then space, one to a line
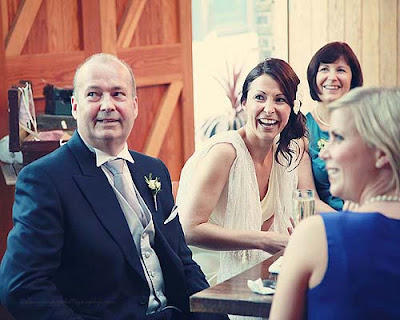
[267, 108]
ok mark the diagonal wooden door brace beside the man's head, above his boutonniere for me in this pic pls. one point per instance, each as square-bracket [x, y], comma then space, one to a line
[163, 119]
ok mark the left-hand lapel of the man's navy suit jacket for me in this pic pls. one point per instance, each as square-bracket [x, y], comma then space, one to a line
[95, 187]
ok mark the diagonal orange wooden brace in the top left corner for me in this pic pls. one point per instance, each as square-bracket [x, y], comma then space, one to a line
[19, 32]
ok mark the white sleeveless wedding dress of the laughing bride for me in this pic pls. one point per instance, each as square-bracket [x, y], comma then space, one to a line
[243, 209]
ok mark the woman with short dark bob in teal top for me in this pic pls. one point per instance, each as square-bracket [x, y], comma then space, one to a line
[332, 72]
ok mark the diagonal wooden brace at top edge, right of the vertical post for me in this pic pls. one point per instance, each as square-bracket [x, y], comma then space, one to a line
[129, 23]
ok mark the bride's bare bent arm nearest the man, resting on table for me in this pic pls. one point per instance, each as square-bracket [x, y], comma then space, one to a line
[207, 185]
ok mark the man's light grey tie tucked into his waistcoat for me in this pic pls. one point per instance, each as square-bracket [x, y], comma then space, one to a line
[116, 167]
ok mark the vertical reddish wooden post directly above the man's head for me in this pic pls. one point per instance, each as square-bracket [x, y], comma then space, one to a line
[91, 27]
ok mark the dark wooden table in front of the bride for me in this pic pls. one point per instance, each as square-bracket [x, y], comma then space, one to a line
[233, 296]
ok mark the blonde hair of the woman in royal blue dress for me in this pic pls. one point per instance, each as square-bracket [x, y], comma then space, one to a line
[376, 114]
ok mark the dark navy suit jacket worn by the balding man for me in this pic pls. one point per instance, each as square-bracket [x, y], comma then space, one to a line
[70, 254]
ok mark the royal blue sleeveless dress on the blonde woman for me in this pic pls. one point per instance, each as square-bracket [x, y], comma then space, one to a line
[362, 280]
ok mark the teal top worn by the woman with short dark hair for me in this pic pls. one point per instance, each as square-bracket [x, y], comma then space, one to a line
[317, 138]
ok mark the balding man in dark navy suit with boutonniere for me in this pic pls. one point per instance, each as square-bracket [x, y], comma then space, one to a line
[81, 248]
